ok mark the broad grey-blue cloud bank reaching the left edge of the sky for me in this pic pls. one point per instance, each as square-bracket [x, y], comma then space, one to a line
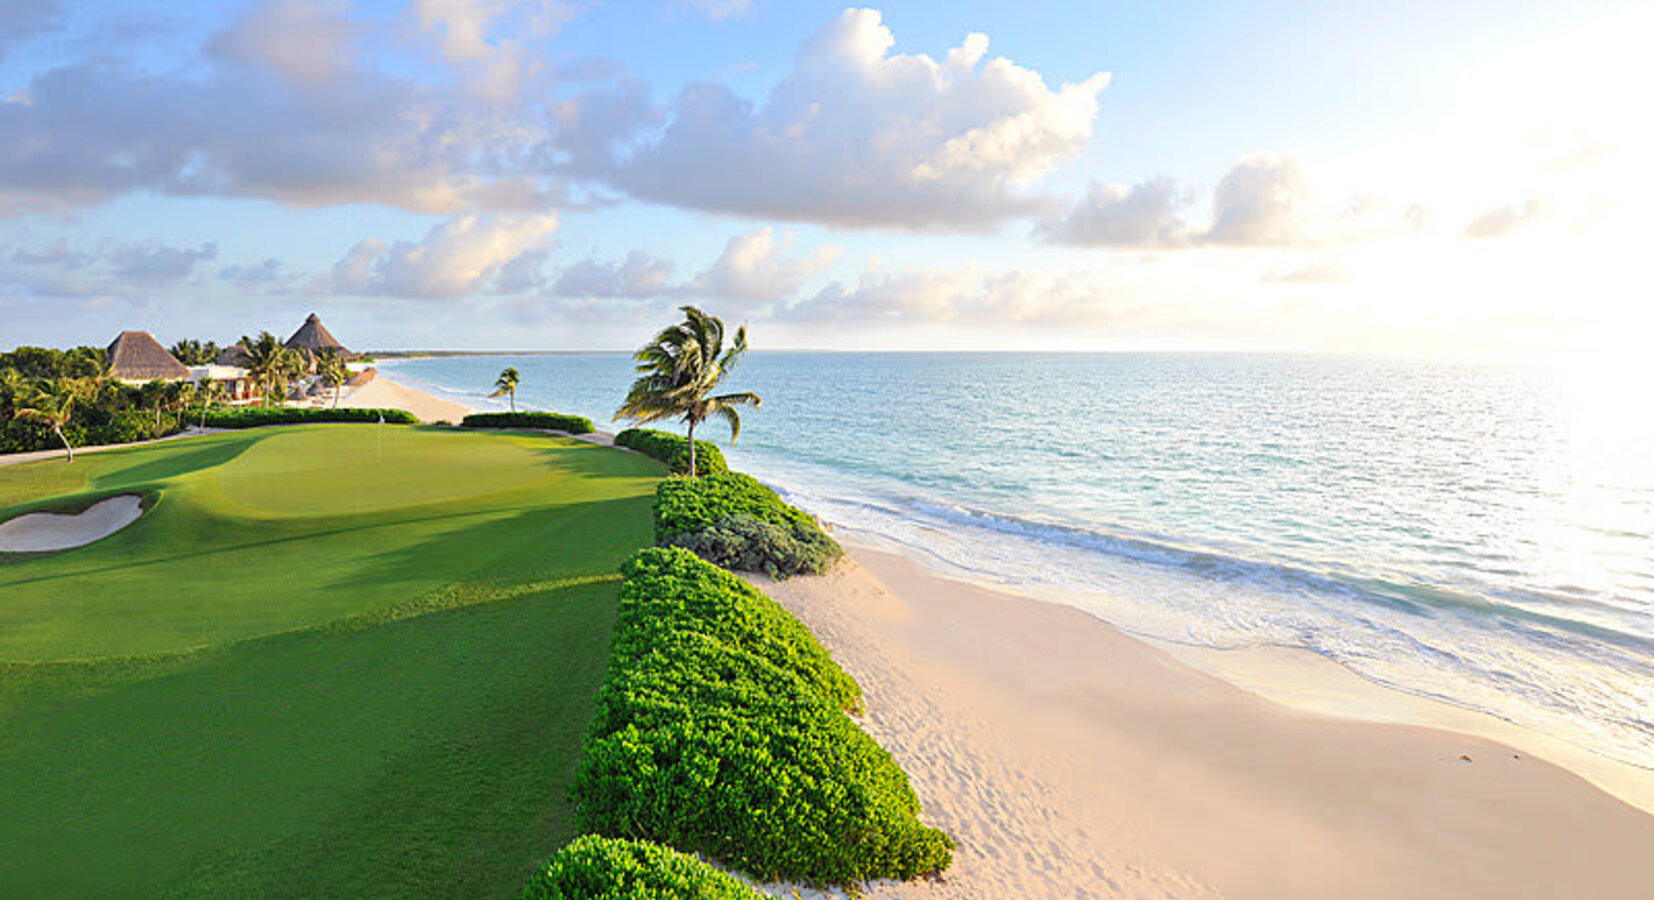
[280, 107]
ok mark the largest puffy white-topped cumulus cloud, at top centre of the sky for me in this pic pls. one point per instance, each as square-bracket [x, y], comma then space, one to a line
[859, 136]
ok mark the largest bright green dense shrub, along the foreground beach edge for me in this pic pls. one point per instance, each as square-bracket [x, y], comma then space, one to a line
[720, 730]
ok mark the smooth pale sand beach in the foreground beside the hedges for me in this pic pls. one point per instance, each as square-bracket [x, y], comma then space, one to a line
[1071, 760]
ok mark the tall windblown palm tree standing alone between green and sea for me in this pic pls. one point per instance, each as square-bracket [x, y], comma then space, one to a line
[679, 371]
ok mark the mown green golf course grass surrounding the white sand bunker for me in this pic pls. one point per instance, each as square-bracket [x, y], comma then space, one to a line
[328, 661]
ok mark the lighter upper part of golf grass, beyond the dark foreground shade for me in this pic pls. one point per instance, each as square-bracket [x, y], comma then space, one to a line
[282, 529]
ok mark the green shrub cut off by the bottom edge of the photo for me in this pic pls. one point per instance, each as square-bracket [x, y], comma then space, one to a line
[608, 869]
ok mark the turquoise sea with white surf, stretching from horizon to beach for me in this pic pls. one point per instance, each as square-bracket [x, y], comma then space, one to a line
[1480, 534]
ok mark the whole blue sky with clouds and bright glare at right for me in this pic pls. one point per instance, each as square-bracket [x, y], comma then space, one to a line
[1451, 176]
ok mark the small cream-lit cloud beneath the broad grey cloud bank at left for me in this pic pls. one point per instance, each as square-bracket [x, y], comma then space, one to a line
[461, 257]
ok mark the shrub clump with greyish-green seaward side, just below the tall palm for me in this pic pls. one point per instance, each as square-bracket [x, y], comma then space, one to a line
[739, 524]
